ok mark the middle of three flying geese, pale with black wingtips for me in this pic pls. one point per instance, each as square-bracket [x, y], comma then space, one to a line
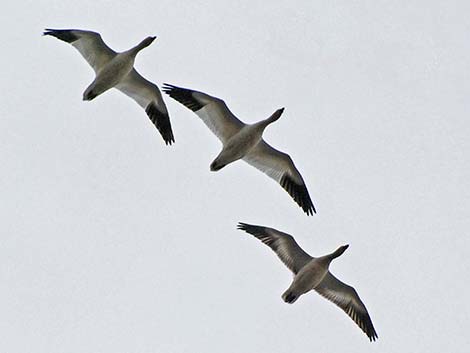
[244, 141]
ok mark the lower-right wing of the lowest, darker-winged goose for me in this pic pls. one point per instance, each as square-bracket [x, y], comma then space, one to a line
[347, 299]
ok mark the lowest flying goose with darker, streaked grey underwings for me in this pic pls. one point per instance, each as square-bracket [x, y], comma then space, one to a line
[313, 273]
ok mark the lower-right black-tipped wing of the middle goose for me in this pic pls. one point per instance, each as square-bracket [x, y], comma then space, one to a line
[280, 167]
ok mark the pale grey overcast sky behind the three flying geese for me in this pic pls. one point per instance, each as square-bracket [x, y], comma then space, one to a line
[113, 242]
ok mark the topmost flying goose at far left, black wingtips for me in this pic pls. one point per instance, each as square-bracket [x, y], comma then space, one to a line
[117, 70]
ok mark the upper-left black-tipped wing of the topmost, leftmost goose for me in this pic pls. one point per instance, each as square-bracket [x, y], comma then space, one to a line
[88, 43]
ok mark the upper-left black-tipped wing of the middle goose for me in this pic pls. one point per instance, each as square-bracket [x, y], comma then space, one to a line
[213, 111]
